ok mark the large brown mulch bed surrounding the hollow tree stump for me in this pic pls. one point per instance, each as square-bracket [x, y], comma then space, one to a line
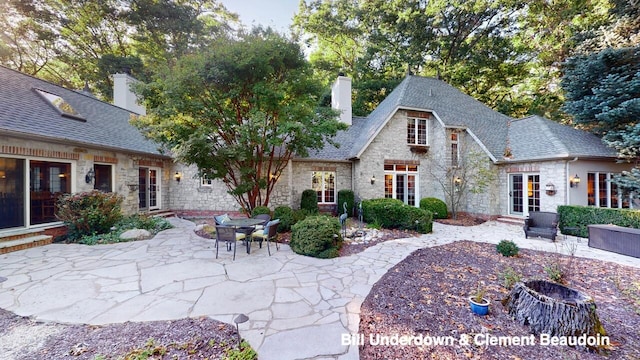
[426, 294]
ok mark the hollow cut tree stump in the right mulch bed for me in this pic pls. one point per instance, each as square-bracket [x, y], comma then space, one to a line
[554, 309]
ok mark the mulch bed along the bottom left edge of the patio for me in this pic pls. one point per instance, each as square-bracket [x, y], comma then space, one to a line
[201, 338]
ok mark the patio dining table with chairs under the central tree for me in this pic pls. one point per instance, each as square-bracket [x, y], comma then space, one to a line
[259, 228]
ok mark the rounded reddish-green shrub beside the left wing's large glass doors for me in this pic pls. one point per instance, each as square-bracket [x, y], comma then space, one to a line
[93, 212]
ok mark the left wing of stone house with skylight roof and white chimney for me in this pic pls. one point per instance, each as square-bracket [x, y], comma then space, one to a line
[55, 140]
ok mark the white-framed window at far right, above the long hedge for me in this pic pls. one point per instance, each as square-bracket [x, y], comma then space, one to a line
[601, 192]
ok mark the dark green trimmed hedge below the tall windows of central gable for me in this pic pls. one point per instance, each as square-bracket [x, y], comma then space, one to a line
[394, 214]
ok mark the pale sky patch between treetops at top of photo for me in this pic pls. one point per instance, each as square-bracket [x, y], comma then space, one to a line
[275, 13]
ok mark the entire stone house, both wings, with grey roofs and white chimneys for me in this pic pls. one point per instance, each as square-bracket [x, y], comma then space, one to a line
[55, 140]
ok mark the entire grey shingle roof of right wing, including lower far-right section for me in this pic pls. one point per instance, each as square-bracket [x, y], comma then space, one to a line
[529, 139]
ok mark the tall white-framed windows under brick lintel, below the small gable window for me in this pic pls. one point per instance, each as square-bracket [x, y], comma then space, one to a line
[401, 182]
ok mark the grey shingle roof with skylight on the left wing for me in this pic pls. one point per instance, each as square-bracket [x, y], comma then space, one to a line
[23, 111]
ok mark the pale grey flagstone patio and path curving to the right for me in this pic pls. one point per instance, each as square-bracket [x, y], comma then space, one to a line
[298, 307]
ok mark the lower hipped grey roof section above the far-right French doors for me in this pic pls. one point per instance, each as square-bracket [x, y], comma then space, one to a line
[535, 137]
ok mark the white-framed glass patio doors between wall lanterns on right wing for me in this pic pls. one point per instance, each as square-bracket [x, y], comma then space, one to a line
[524, 194]
